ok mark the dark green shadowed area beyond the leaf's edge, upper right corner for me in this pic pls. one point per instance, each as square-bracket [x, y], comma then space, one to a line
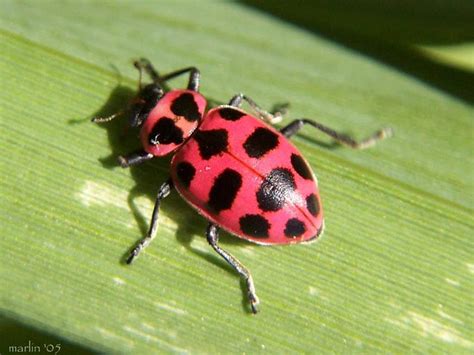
[391, 32]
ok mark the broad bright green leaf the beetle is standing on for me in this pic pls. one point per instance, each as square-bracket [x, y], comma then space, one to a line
[393, 271]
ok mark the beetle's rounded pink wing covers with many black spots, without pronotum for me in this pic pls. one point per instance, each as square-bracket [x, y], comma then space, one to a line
[207, 160]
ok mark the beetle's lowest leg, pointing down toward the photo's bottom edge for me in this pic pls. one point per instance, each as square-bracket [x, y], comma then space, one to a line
[212, 235]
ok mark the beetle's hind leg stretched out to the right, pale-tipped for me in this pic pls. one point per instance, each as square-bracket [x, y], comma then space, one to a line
[296, 125]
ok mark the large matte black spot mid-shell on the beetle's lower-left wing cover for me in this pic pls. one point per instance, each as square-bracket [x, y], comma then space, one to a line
[225, 189]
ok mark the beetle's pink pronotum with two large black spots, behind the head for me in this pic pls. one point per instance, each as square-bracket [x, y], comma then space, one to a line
[163, 111]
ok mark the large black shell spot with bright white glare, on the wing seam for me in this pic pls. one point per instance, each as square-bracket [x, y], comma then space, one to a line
[275, 189]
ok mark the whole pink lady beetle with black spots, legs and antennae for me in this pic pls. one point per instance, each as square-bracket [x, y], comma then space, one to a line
[241, 174]
